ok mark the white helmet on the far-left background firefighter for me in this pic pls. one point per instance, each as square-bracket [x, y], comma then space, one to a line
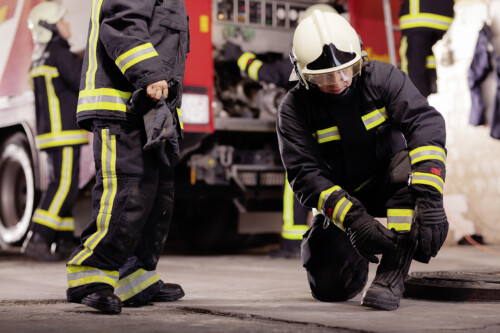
[48, 13]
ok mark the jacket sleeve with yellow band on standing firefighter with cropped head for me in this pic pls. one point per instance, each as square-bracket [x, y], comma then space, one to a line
[125, 35]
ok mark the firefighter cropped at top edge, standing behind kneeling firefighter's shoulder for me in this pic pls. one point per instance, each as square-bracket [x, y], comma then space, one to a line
[423, 23]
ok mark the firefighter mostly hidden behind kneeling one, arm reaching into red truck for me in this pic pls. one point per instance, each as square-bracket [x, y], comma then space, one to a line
[295, 216]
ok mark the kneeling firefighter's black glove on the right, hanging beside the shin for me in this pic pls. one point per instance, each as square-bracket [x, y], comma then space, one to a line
[432, 228]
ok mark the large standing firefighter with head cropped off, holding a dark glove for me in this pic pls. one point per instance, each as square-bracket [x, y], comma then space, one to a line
[130, 95]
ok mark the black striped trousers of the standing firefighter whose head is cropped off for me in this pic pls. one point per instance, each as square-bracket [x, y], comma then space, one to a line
[132, 208]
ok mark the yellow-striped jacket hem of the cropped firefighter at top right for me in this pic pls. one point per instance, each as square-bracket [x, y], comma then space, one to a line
[434, 14]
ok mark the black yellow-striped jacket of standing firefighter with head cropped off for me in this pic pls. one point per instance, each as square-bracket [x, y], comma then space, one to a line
[131, 44]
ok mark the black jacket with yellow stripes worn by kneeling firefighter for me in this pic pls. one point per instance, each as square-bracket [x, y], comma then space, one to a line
[327, 142]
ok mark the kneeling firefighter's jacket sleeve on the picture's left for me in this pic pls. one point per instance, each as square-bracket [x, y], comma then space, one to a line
[307, 171]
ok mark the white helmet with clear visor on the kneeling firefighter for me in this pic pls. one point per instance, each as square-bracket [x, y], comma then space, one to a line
[325, 49]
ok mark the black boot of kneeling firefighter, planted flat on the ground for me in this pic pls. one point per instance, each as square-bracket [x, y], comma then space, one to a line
[388, 286]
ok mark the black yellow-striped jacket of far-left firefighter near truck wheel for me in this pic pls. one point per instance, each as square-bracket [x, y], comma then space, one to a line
[55, 78]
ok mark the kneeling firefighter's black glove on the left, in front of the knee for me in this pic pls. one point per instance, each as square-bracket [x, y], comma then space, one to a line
[368, 236]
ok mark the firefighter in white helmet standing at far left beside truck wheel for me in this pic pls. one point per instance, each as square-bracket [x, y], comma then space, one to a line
[55, 76]
